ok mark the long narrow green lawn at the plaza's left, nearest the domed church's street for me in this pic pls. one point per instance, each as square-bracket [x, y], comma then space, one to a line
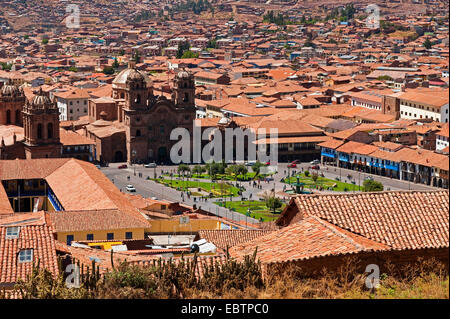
[217, 189]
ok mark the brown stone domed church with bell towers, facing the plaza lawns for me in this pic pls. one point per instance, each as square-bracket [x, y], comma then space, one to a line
[138, 130]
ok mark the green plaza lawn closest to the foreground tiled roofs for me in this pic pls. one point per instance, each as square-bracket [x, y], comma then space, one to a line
[258, 209]
